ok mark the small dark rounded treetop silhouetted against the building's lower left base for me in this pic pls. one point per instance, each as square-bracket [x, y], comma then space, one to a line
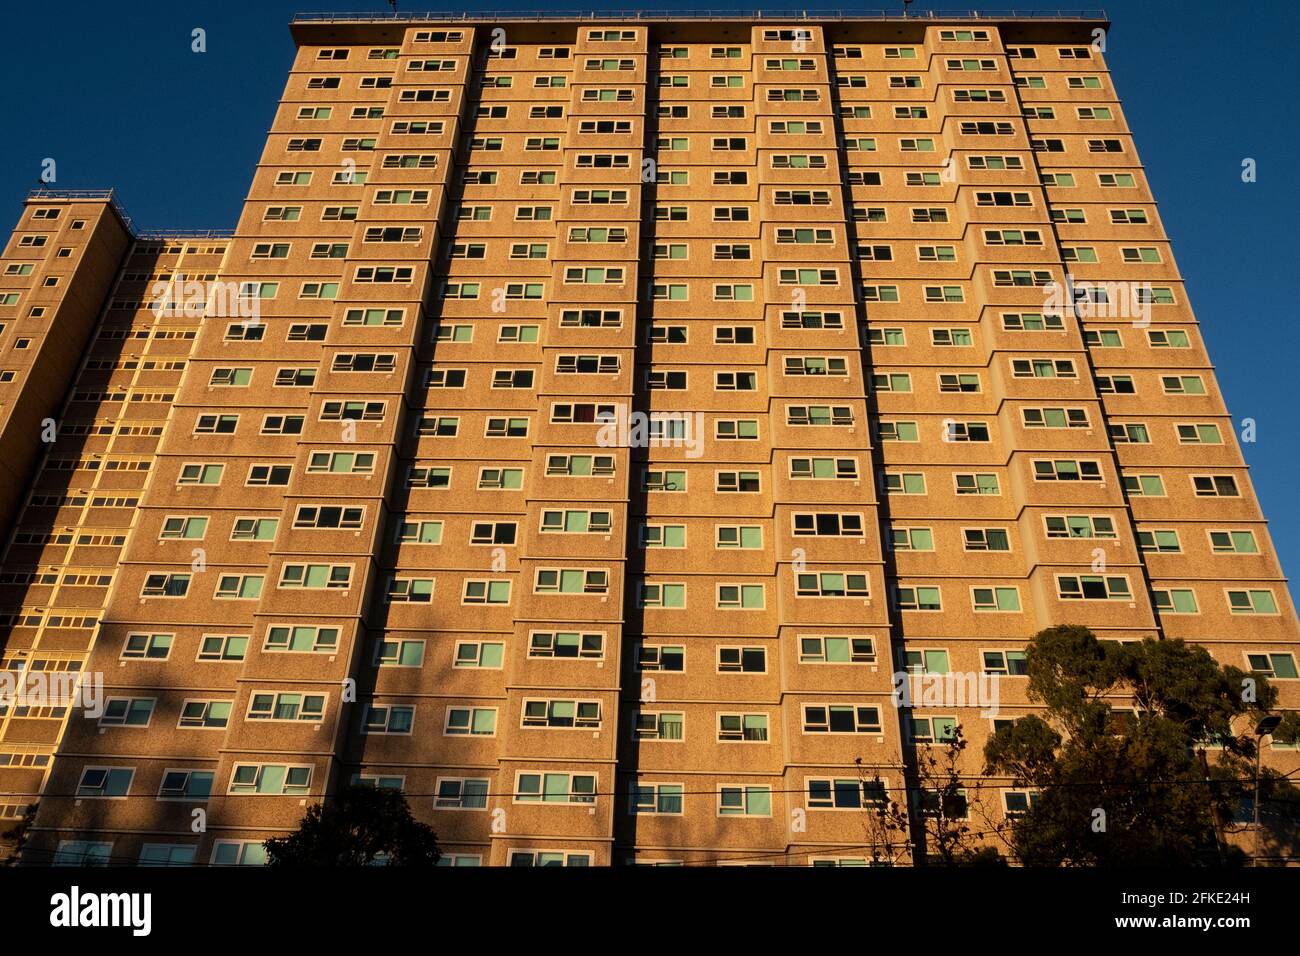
[362, 827]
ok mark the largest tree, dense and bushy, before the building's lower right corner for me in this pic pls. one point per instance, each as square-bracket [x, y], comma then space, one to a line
[1120, 756]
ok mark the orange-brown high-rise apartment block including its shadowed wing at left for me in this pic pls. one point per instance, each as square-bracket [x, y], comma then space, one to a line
[587, 421]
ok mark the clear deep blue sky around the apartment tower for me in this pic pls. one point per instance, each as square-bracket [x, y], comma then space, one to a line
[114, 93]
